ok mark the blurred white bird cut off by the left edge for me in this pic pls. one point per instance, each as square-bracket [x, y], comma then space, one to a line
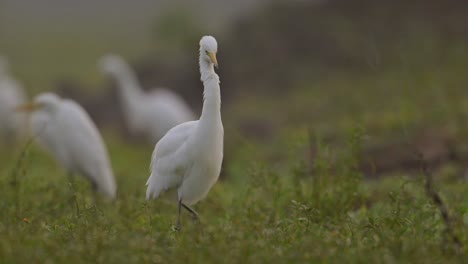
[12, 125]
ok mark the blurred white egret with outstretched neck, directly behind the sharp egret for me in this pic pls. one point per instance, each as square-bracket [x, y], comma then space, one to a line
[150, 114]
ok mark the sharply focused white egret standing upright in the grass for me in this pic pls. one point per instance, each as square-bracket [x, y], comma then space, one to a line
[189, 156]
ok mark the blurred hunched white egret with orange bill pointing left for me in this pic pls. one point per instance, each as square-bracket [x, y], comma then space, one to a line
[64, 129]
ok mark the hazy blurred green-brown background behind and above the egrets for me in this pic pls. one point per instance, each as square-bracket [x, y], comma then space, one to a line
[288, 68]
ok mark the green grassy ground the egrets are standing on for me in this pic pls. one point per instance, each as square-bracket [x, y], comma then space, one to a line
[259, 213]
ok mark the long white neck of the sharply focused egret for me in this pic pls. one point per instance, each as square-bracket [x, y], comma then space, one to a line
[211, 112]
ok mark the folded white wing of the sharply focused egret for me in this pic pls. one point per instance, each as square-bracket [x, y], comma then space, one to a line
[168, 166]
